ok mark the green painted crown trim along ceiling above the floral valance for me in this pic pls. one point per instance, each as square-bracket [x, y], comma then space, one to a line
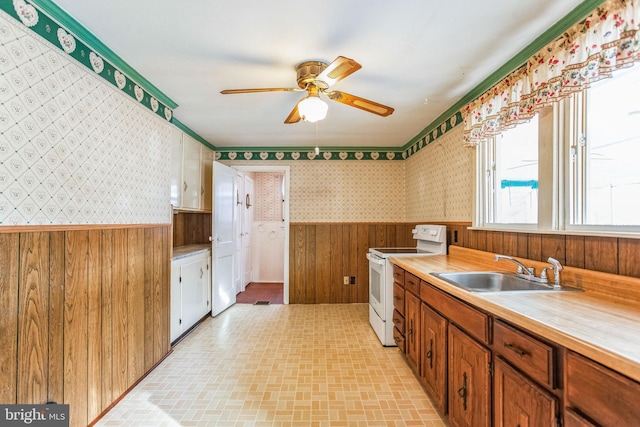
[573, 17]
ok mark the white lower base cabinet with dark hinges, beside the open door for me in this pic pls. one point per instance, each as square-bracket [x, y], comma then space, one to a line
[190, 291]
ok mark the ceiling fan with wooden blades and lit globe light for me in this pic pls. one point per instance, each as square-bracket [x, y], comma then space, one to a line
[316, 77]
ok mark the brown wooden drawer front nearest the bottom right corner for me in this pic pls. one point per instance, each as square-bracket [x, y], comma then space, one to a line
[606, 397]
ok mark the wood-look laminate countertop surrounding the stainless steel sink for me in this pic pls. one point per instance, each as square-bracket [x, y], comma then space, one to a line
[603, 328]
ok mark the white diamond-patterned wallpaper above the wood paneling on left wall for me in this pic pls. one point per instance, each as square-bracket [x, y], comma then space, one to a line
[73, 148]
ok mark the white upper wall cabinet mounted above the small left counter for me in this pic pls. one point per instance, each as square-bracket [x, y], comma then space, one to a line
[191, 166]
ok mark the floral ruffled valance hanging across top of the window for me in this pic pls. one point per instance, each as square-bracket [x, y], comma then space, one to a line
[606, 40]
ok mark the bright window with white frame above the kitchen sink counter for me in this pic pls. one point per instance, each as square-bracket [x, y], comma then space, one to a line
[575, 166]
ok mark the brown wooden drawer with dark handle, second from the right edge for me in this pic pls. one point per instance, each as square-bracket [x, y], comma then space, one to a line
[526, 353]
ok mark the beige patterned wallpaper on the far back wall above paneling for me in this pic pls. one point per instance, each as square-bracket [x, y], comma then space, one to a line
[344, 191]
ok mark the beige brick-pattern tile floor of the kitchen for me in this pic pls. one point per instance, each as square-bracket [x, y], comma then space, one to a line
[279, 365]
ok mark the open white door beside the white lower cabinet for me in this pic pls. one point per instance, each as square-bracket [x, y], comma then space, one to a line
[224, 237]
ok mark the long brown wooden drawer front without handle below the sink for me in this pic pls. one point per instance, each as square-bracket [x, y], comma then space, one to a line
[468, 318]
